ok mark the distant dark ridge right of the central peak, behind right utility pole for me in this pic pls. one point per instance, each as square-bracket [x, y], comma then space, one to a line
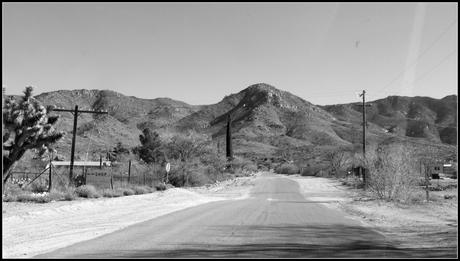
[431, 119]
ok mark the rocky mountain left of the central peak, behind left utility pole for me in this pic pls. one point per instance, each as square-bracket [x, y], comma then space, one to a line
[127, 116]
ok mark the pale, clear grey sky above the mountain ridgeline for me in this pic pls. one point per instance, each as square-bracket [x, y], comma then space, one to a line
[325, 53]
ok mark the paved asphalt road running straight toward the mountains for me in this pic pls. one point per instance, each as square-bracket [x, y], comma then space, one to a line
[275, 222]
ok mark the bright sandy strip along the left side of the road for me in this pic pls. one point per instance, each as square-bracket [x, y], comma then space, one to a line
[30, 229]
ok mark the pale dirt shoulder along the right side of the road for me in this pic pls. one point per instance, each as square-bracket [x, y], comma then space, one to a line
[425, 225]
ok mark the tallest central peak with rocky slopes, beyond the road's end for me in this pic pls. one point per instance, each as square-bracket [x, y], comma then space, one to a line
[263, 114]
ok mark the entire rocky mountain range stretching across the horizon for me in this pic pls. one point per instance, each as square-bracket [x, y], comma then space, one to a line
[265, 121]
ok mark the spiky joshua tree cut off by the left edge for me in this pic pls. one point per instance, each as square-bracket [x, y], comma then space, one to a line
[27, 126]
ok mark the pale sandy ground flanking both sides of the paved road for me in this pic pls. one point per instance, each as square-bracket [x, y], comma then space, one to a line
[30, 229]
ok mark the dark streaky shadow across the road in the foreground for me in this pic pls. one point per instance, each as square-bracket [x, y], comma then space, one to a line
[284, 241]
